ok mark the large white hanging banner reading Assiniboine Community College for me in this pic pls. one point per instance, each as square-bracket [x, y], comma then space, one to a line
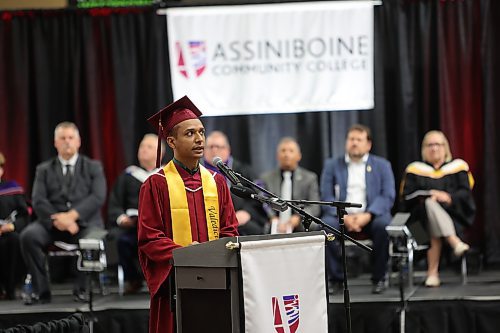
[272, 58]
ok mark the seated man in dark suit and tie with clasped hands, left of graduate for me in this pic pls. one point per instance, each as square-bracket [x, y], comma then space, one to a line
[68, 193]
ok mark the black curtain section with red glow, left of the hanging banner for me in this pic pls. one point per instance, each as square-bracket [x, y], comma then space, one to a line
[106, 70]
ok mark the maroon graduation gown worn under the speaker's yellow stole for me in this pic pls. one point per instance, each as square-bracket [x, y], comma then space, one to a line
[155, 239]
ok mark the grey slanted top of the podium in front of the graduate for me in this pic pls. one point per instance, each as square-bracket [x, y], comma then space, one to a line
[215, 253]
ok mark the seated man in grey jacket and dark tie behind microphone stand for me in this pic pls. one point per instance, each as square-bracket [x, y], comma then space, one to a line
[290, 181]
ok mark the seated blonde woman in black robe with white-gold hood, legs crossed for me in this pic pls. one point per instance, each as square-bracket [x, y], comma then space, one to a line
[437, 192]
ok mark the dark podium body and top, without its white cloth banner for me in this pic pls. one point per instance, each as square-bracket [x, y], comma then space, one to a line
[208, 285]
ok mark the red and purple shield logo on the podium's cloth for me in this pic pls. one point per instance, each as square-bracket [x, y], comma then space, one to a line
[291, 312]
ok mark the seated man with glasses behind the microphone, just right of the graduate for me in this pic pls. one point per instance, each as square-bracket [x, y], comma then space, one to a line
[250, 215]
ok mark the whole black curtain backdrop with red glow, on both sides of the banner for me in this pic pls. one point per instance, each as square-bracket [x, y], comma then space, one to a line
[107, 70]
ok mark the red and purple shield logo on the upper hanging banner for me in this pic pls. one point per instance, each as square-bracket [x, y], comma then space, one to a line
[197, 62]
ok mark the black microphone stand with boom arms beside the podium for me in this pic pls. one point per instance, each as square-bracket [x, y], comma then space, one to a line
[307, 218]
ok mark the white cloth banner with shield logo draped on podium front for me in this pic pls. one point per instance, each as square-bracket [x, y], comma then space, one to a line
[284, 287]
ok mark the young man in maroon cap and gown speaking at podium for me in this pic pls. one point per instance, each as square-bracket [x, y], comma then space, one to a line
[182, 204]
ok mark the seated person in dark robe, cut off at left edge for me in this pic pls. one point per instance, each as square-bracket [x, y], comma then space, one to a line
[13, 218]
